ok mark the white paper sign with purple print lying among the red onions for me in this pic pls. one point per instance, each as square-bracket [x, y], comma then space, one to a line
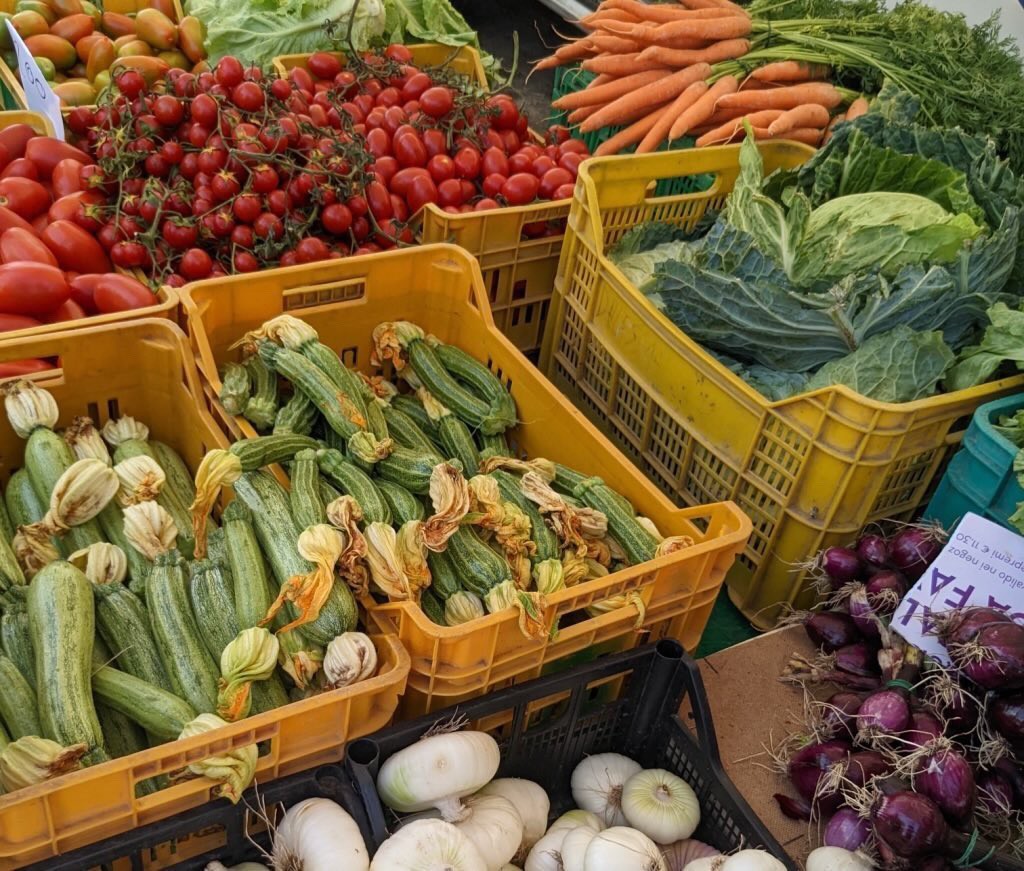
[982, 564]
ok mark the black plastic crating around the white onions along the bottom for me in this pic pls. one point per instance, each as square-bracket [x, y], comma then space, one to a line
[626, 704]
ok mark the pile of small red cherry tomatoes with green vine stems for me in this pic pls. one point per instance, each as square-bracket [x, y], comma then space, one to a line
[231, 171]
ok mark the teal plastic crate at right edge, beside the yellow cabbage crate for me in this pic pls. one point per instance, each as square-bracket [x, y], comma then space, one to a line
[980, 478]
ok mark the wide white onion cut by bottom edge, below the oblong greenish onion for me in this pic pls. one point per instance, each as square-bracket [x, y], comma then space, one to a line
[426, 846]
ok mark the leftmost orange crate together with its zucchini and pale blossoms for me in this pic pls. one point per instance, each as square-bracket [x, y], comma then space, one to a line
[169, 660]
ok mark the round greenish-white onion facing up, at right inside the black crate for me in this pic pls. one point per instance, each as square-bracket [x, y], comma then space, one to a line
[661, 805]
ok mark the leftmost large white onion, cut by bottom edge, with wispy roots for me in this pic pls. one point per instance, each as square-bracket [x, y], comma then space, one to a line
[318, 836]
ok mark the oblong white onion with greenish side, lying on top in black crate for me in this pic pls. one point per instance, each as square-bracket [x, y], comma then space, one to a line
[438, 772]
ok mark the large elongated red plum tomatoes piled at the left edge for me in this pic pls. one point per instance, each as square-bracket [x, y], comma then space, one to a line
[53, 269]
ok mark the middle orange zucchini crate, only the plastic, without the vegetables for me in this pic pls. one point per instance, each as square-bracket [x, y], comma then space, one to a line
[440, 288]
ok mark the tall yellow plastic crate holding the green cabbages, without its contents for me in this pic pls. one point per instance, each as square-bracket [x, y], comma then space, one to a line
[810, 471]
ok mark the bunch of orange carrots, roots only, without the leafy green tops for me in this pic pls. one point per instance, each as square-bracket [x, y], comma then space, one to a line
[687, 69]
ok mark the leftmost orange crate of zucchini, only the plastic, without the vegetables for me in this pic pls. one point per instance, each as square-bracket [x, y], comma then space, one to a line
[145, 369]
